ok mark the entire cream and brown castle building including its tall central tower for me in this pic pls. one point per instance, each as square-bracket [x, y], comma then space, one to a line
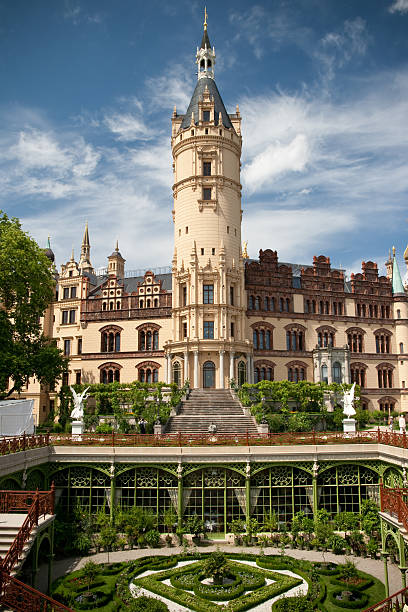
[216, 315]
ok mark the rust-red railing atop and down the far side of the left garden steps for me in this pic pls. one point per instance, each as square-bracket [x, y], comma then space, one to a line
[42, 503]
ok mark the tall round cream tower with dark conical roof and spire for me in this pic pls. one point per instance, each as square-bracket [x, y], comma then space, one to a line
[208, 272]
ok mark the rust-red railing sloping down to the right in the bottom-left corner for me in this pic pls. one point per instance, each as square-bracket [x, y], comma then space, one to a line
[16, 595]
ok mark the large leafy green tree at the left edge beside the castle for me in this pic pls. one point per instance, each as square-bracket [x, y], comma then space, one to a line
[26, 289]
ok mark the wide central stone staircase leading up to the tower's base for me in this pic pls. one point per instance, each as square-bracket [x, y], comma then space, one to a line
[206, 406]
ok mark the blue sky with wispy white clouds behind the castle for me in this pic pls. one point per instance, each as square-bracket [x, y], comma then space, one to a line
[88, 87]
